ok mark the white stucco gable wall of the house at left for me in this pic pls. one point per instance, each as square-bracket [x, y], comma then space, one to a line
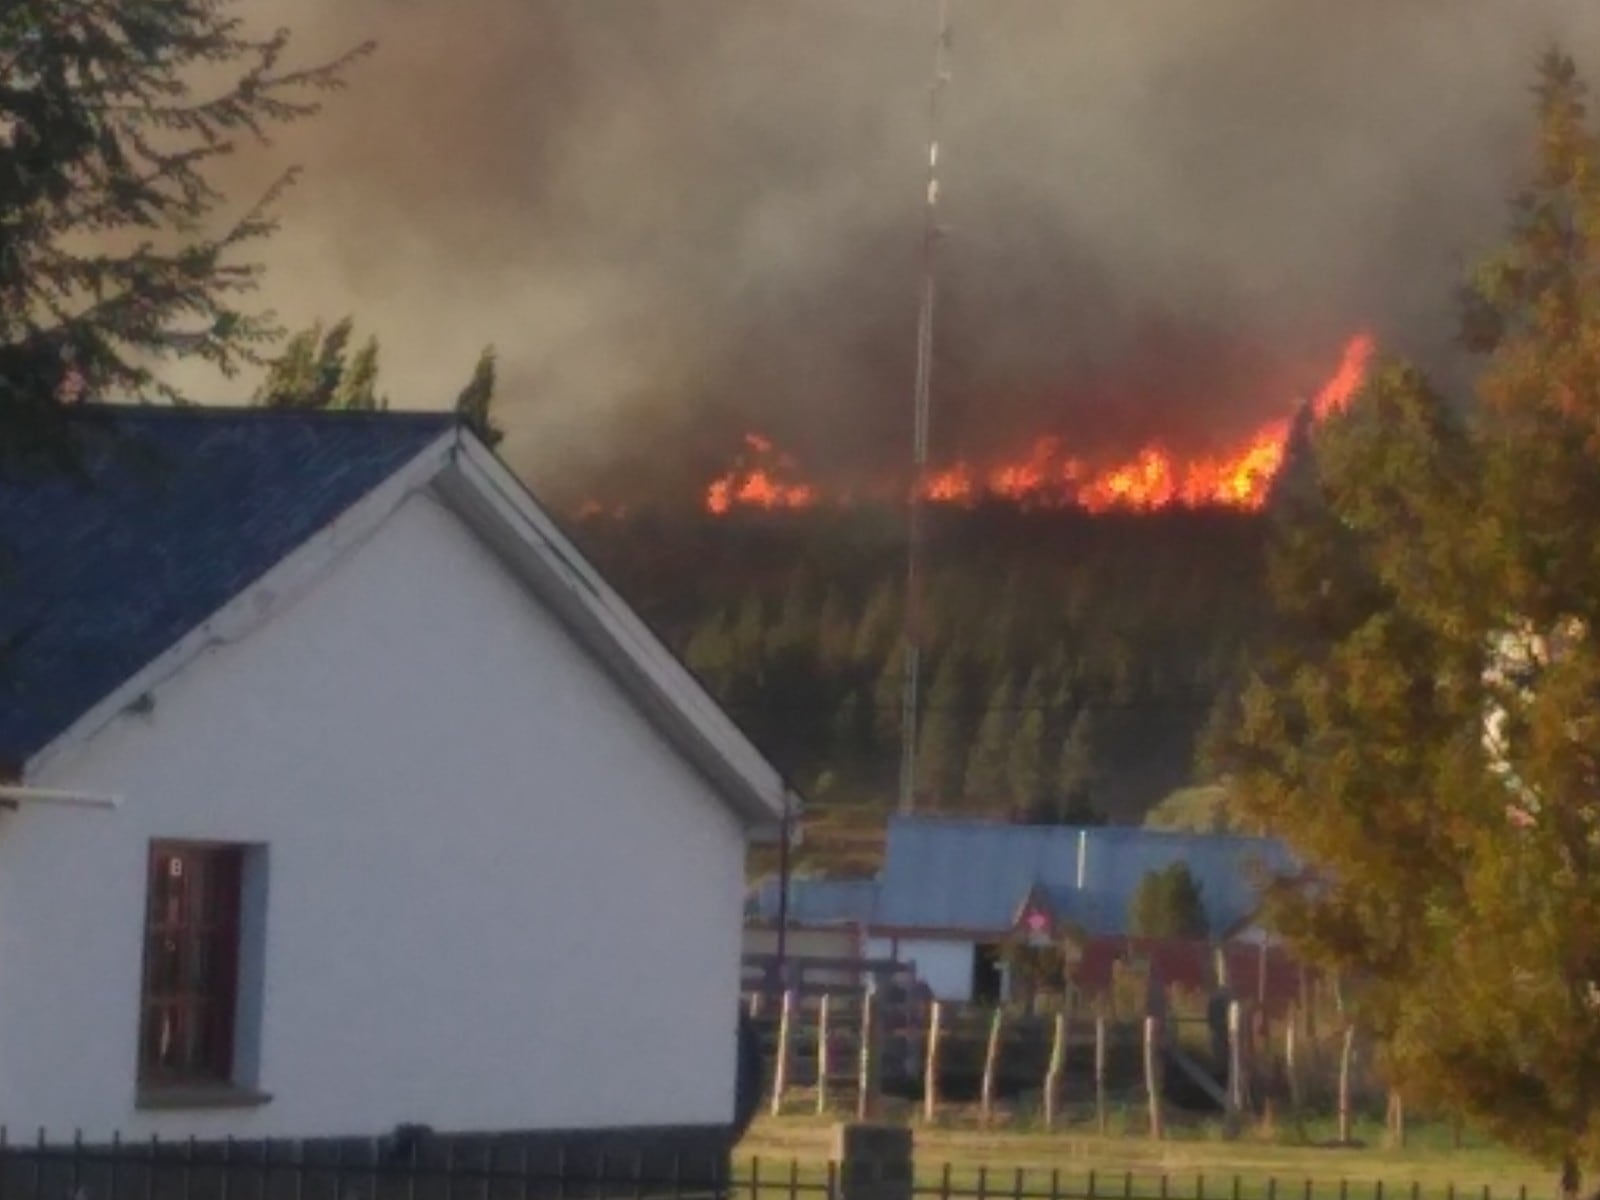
[497, 900]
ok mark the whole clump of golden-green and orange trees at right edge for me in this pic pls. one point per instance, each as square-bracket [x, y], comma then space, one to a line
[1425, 729]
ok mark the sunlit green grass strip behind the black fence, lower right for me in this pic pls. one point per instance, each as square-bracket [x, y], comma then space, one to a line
[1193, 1164]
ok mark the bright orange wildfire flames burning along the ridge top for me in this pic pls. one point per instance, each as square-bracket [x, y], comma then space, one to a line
[1047, 476]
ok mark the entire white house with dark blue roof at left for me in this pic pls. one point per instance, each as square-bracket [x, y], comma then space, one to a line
[345, 796]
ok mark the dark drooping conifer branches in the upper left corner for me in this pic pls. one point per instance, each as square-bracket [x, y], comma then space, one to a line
[116, 114]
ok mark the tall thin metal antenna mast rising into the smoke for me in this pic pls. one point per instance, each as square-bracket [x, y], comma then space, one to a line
[911, 634]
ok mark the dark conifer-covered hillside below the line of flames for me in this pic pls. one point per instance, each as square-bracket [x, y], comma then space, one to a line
[1070, 660]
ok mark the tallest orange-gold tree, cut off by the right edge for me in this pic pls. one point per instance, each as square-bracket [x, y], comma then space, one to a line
[1524, 1049]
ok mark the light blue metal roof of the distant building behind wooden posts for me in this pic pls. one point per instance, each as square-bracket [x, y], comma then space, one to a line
[974, 876]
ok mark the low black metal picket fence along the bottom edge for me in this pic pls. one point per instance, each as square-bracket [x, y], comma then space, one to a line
[497, 1170]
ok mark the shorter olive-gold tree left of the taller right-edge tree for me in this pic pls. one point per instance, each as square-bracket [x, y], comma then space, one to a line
[1345, 734]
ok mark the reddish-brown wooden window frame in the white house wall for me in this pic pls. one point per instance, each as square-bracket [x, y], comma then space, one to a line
[190, 991]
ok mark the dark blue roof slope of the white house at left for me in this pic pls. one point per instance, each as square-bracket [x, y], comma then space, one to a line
[175, 513]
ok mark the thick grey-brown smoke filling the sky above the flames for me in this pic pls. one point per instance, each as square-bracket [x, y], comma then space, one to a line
[687, 218]
